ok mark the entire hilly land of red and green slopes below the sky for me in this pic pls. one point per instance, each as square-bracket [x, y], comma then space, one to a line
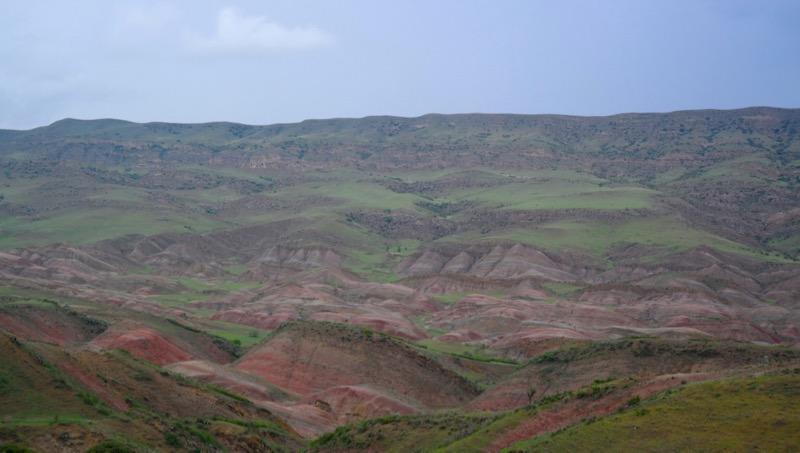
[371, 274]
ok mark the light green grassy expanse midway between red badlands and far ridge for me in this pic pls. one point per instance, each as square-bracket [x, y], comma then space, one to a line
[131, 212]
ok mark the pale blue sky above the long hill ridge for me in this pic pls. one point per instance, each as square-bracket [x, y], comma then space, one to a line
[263, 62]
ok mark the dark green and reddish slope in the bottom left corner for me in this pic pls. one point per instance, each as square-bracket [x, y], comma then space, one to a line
[38, 399]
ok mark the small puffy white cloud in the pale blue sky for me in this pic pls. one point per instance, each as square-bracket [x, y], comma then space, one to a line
[239, 33]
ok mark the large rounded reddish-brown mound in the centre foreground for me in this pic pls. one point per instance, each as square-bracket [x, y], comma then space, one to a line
[310, 357]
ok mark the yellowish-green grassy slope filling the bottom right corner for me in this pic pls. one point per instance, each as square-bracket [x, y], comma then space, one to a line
[733, 415]
